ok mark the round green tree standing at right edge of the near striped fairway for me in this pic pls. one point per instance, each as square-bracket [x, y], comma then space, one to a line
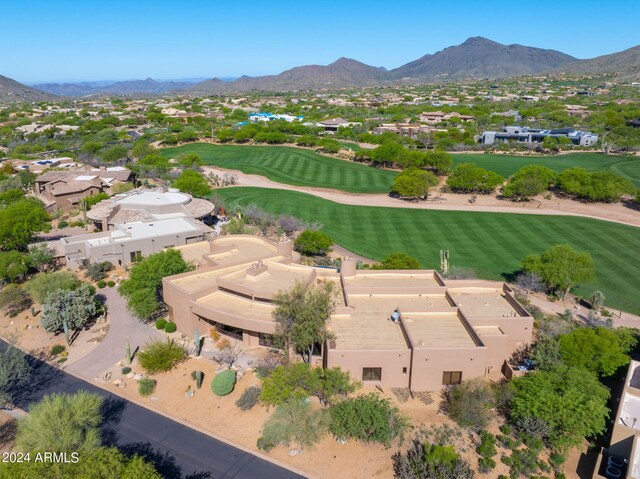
[561, 267]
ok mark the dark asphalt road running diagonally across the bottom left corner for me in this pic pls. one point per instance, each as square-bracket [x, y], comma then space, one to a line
[177, 450]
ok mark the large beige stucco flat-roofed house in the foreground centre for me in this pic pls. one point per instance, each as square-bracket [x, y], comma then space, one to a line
[446, 331]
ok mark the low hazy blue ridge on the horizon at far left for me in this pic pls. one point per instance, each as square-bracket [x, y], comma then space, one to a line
[127, 88]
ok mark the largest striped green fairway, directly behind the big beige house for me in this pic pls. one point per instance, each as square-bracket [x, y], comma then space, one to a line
[490, 243]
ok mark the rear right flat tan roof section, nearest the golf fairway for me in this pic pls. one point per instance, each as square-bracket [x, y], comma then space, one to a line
[483, 302]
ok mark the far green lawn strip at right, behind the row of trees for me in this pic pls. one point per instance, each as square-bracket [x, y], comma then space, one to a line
[507, 165]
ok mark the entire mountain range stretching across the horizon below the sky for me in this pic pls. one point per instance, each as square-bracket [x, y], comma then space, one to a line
[477, 57]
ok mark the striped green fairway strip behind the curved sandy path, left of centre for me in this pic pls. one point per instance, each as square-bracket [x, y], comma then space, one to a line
[293, 166]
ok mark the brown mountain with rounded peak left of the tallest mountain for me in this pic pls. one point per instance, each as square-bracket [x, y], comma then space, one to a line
[339, 74]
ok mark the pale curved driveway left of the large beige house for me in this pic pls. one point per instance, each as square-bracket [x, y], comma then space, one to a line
[112, 349]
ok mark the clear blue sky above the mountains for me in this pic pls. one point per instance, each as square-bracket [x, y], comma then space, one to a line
[63, 40]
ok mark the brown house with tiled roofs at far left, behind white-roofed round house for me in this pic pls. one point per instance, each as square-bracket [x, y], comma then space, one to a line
[64, 189]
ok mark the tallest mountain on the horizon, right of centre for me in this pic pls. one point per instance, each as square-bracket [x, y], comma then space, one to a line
[479, 57]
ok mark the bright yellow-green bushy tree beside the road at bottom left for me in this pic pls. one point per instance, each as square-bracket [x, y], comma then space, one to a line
[62, 423]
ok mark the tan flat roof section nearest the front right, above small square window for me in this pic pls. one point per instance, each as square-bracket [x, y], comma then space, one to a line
[437, 330]
